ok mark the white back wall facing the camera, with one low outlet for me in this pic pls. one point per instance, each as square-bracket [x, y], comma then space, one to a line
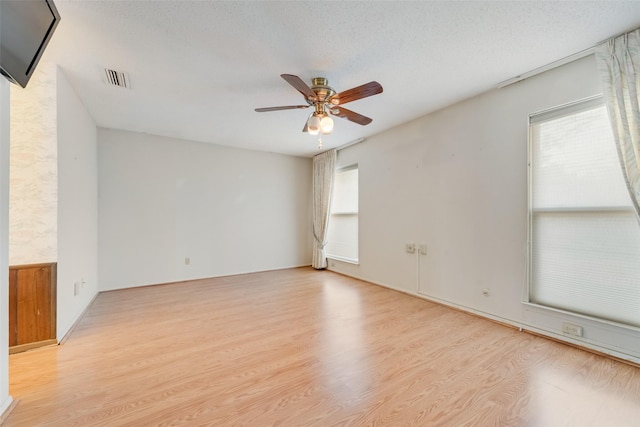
[230, 211]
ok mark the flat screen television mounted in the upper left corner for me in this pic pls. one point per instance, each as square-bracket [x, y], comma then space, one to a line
[25, 30]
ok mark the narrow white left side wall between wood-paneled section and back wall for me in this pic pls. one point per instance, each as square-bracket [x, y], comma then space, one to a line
[77, 192]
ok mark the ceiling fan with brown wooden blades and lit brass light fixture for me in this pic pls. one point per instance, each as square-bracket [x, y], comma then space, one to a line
[326, 101]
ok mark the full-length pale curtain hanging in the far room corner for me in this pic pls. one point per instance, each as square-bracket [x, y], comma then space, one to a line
[323, 171]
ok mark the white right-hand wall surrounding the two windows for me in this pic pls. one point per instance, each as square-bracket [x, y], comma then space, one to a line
[457, 181]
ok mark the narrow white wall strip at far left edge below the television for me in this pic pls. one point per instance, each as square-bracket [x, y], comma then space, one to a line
[5, 399]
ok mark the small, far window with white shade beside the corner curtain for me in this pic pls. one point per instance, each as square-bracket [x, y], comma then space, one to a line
[342, 242]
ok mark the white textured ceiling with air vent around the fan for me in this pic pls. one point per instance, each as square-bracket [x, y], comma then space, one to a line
[199, 68]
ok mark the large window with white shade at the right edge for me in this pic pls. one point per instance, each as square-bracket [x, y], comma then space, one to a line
[584, 235]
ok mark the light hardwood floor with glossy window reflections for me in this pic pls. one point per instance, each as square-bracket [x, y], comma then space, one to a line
[305, 348]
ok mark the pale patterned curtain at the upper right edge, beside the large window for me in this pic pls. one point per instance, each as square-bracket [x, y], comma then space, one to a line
[619, 65]
